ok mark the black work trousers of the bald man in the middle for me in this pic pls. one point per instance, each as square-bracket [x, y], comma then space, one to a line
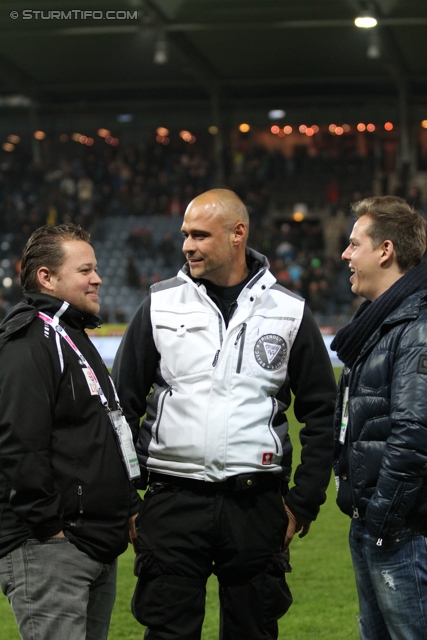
[188, 529]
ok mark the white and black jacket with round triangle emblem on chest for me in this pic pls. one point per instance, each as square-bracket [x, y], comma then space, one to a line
[219, 393]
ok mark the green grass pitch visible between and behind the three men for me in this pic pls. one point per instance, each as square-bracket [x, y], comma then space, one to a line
[322, 584]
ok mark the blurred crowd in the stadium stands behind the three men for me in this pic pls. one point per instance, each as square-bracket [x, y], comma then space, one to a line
[88, 185]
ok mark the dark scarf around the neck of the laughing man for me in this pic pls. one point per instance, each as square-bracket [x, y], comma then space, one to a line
[370, 315]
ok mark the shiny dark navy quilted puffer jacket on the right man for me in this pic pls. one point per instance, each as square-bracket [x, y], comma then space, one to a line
[382, 466]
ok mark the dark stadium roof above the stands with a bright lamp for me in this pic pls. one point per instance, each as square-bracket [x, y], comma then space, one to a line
[236, 58]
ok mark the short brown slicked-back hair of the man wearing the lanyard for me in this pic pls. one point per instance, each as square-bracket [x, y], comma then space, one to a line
[45, 249]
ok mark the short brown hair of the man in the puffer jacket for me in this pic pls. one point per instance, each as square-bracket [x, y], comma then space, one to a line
[394, 219]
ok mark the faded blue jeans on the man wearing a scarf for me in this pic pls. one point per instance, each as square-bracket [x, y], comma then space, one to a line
[391, 582]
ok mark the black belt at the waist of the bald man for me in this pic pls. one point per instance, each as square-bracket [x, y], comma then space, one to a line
[241, 482]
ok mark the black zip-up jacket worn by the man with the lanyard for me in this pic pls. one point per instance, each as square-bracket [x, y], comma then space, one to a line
[60, 464]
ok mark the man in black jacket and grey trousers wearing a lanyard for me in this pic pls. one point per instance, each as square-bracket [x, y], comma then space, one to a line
[66, 497]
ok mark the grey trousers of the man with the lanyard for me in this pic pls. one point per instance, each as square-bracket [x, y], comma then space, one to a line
[57, 591]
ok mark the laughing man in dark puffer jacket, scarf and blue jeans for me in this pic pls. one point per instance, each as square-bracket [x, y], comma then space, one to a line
[381, 419]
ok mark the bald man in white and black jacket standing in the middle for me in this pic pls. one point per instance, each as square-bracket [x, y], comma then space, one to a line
[210, 359]
